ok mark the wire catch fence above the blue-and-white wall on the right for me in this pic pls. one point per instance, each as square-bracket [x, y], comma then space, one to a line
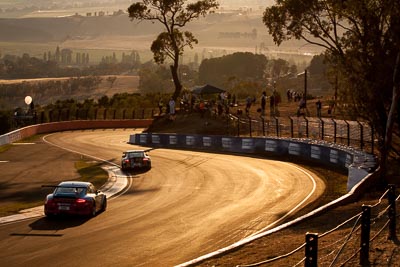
[350, 133]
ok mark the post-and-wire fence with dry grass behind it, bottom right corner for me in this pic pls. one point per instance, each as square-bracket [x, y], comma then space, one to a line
[355, 238]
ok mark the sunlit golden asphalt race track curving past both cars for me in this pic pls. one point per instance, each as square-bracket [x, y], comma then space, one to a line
[189, 204]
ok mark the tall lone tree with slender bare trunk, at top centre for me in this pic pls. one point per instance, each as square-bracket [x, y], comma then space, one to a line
[173, 15]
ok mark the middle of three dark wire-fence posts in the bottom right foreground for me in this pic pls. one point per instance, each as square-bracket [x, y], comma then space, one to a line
[365, 234]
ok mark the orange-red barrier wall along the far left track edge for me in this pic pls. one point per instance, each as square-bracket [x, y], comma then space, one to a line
[70, 125]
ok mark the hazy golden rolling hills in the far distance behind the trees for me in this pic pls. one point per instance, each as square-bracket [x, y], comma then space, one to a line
[104, 25]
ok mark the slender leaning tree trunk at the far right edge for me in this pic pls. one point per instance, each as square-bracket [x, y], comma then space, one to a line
[390, 120]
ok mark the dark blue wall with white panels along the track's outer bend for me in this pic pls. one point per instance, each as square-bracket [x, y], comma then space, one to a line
[358, 163]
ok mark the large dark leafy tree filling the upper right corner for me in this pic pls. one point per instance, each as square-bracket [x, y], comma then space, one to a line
[362, 41]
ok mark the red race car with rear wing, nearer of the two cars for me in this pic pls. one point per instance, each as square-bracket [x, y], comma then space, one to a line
[75, 198]
